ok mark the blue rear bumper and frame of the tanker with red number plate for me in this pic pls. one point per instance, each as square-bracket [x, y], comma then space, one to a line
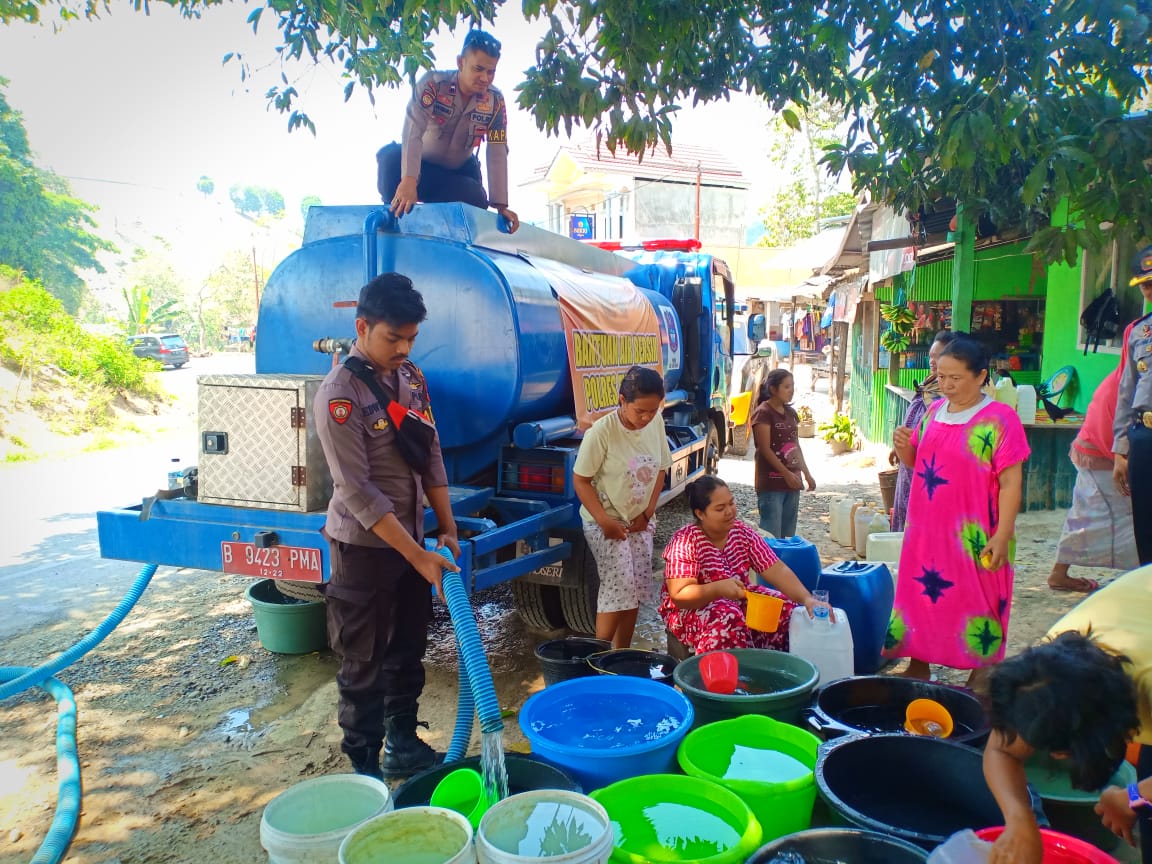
[286, 545]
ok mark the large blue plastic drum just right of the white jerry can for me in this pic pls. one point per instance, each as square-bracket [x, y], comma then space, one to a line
[865, 592]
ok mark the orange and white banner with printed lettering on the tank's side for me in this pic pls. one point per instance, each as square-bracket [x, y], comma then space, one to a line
[610, 328]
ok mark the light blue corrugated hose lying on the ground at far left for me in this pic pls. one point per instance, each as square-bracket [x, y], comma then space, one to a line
[20, 679]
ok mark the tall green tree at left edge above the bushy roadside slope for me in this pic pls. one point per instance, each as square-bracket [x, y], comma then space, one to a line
[43, 230]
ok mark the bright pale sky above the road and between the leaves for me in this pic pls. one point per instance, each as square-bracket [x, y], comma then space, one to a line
[146, 101]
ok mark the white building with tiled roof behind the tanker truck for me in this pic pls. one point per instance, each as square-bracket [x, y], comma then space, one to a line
[593, 195]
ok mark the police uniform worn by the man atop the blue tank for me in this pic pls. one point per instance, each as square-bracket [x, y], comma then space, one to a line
[443, 132]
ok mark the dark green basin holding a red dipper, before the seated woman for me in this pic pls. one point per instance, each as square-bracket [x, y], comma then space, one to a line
[780, 686]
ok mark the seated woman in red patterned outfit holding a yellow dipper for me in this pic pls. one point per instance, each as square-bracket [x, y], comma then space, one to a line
[707, 566]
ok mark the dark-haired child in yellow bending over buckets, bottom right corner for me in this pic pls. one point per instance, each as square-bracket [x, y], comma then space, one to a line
[1081, 698]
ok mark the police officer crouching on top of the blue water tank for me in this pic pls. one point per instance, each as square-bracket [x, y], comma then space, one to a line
[450, 116]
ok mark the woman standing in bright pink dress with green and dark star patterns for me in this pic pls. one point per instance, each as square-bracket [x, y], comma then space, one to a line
[954, 595]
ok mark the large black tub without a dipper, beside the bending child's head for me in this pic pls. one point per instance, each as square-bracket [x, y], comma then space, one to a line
[919, 790]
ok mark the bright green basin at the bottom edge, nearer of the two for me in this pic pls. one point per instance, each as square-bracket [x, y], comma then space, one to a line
[673, 818]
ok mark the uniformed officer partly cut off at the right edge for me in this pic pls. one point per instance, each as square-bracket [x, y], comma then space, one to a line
[1133, 445]
